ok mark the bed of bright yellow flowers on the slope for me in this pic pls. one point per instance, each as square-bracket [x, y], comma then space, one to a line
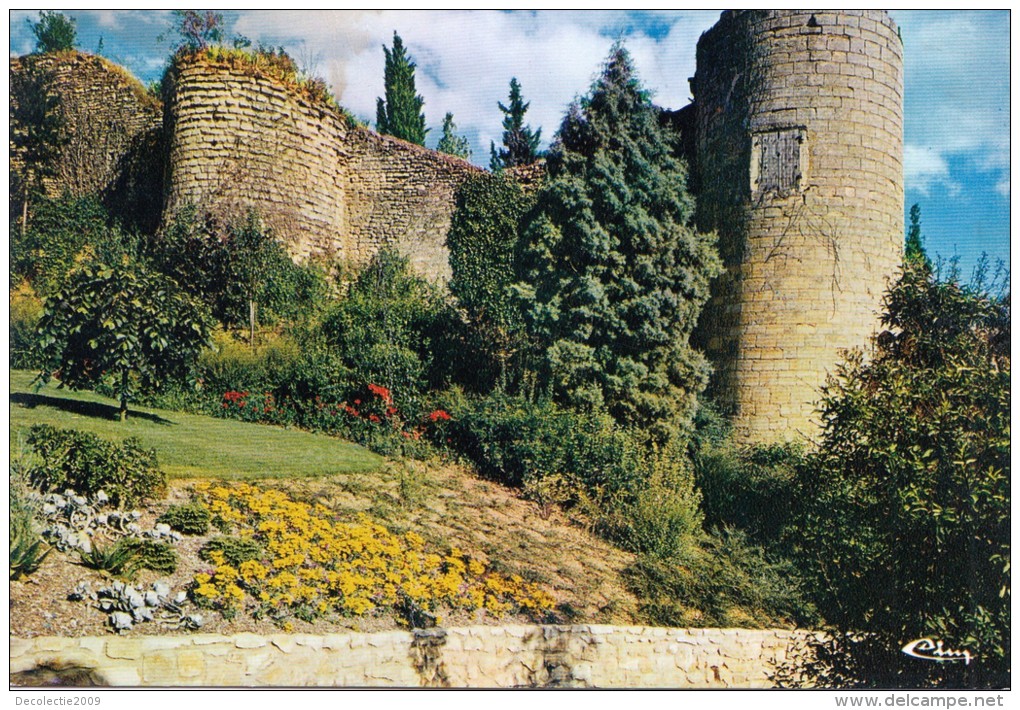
[315, 566]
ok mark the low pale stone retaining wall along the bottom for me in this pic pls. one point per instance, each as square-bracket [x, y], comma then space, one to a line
[582, 656]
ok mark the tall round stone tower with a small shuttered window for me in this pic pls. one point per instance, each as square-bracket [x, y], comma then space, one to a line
[799, 163]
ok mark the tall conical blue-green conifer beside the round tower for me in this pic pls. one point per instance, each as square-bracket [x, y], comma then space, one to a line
[615, 275]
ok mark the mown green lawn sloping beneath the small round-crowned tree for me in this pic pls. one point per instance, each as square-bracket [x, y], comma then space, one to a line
[188, 445]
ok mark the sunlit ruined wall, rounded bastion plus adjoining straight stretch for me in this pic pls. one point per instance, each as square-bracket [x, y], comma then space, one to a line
[242, 140]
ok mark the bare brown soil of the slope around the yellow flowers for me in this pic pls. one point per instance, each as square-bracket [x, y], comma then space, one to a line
[443, 503]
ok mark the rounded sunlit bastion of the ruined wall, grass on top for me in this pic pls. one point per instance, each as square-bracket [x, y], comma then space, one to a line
[240, 140]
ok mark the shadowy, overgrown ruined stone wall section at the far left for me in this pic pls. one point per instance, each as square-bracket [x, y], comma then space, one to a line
[108, 141]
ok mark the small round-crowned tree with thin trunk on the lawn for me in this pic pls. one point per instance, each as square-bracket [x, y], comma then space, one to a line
[118, 321]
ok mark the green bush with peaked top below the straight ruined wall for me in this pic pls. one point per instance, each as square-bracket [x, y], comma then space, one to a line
[387, 330]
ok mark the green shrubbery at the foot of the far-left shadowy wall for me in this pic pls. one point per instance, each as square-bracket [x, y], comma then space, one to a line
[64, 233]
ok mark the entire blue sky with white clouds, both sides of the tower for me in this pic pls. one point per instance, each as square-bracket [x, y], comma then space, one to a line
[957, 83]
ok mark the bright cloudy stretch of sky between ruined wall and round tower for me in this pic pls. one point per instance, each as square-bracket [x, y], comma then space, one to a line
[466, 60]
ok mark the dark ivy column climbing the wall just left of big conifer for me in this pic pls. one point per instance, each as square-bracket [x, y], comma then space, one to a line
[484, 236]
